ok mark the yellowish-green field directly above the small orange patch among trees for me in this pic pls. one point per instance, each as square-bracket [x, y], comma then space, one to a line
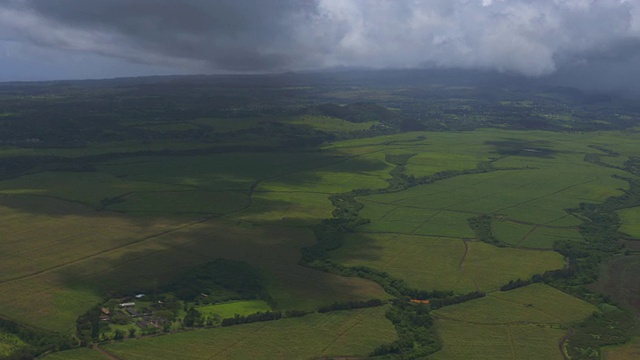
[444, 263]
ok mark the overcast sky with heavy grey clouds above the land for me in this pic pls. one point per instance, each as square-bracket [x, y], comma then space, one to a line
[74, 39]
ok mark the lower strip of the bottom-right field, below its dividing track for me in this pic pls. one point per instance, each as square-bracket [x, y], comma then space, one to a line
[461, 341]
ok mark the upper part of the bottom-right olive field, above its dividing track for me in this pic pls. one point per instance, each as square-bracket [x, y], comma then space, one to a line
[533, 304]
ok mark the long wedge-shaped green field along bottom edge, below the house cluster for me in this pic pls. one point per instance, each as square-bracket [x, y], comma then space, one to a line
[344, 333]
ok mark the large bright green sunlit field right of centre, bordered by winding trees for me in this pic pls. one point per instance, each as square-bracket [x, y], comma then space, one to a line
[525, 195]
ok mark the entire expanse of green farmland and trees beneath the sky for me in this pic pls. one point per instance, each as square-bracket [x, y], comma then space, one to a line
[292, 226]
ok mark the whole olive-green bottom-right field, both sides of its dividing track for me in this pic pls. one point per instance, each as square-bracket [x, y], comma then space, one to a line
[525, 323]
